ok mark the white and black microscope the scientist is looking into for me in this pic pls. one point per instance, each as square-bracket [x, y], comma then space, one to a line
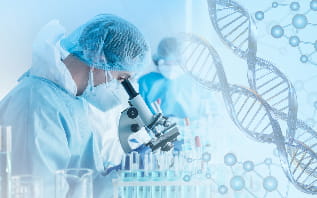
[162, 131]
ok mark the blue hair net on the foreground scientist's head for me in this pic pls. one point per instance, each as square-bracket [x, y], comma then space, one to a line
[110, 43]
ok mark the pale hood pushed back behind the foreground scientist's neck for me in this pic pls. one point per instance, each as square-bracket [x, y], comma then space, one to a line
[47, 55]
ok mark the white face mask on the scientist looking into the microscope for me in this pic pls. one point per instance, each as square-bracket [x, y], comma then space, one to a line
[104, 96]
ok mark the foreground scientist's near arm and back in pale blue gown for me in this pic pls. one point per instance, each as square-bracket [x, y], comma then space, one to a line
[39, 141]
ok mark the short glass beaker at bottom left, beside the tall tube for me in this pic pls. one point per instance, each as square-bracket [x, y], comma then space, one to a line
[26, 186]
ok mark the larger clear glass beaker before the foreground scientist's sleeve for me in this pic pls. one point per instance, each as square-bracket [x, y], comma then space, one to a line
[74, 183]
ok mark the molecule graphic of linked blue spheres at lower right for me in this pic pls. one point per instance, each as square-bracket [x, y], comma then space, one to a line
[240, 179]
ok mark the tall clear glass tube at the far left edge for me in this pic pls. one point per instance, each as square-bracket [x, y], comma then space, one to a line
[5, 161]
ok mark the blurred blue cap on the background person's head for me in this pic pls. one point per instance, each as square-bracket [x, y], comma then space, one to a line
[169, 49]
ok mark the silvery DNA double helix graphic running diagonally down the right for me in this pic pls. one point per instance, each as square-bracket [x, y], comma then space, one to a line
[267, 110]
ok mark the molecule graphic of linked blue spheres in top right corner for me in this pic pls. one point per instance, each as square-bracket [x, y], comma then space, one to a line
[293, 30]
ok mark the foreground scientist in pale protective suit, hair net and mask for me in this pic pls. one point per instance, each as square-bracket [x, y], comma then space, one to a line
[49, 108]
